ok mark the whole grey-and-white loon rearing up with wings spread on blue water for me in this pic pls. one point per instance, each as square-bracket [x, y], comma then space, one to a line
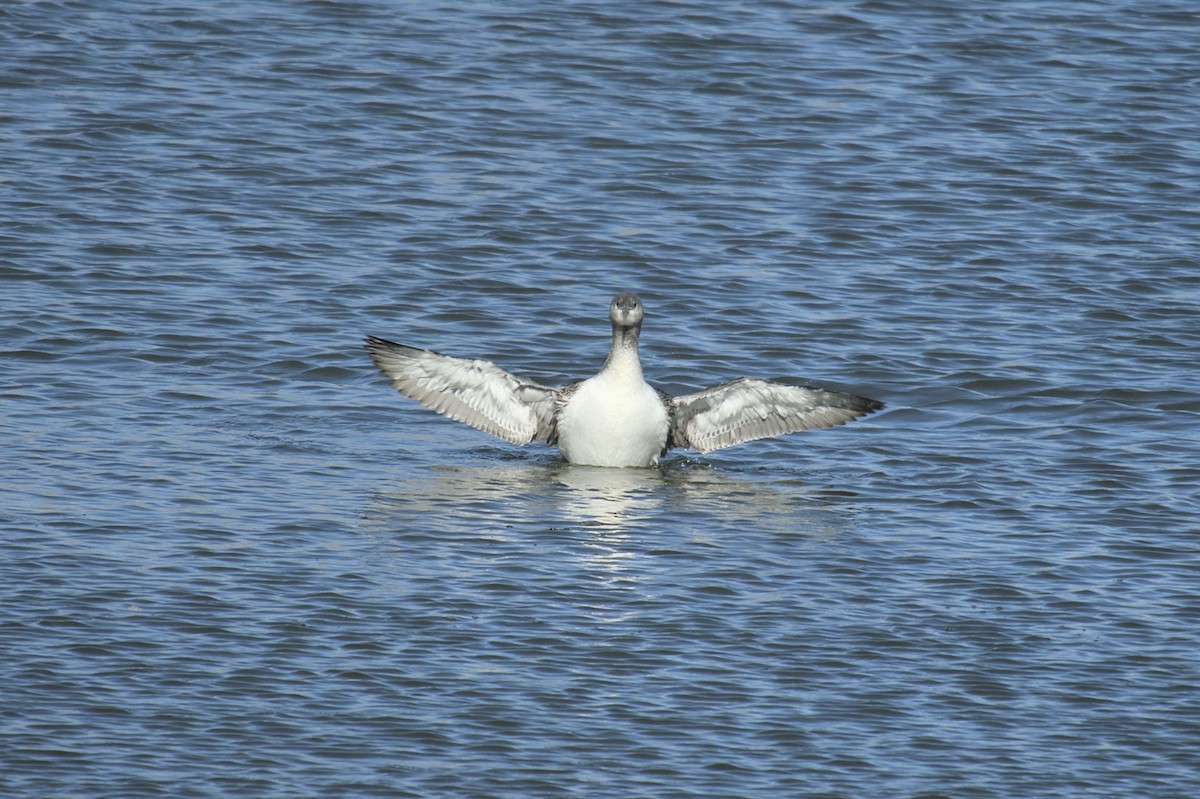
[616, 418]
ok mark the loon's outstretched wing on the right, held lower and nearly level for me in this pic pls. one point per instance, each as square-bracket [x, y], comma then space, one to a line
[749, 408]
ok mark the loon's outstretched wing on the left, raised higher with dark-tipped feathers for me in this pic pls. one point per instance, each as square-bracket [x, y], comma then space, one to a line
[473, 392]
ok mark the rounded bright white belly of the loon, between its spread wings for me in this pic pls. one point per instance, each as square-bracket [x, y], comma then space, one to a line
[614, 423]
